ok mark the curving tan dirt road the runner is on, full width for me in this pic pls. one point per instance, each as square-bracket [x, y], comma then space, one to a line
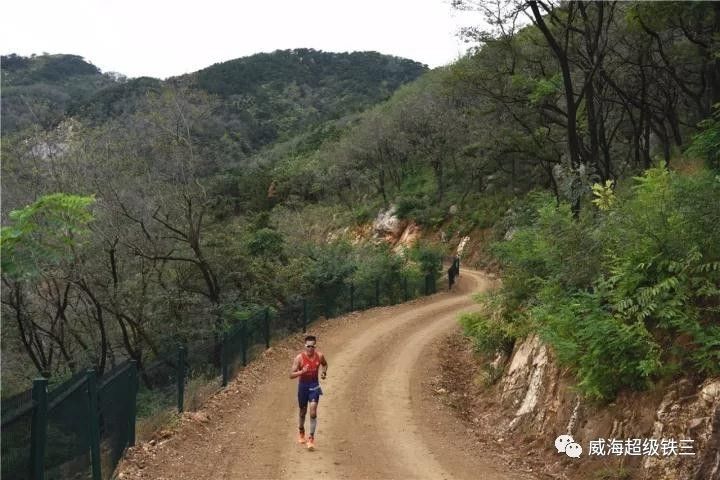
[377, 418]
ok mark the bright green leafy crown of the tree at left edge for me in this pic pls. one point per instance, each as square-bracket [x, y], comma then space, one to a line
[44, 233]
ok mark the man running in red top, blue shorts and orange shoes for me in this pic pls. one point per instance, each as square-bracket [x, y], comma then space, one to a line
[305, 367]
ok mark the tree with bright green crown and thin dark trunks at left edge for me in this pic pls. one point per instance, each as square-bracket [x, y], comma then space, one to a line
[41, 253]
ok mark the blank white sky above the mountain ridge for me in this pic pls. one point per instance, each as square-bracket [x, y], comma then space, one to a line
[162, 38]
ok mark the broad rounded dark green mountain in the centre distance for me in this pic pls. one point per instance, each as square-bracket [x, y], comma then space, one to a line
[283, 93]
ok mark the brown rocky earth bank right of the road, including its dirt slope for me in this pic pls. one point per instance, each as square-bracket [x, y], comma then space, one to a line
[525, 401]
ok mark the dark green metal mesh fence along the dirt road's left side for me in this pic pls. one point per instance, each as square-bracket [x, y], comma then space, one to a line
[81, 428]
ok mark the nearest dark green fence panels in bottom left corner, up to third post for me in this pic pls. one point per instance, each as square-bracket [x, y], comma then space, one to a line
[79, 429]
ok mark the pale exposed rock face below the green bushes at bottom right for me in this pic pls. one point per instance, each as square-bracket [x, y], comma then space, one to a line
[543, 405]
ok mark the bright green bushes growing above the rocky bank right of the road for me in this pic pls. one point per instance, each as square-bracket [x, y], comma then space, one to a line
[625, 296]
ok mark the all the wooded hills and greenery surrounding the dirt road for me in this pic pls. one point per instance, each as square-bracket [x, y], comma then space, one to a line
[585, 144]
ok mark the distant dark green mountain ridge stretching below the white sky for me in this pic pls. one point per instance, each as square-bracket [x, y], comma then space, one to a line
[254, 100]
